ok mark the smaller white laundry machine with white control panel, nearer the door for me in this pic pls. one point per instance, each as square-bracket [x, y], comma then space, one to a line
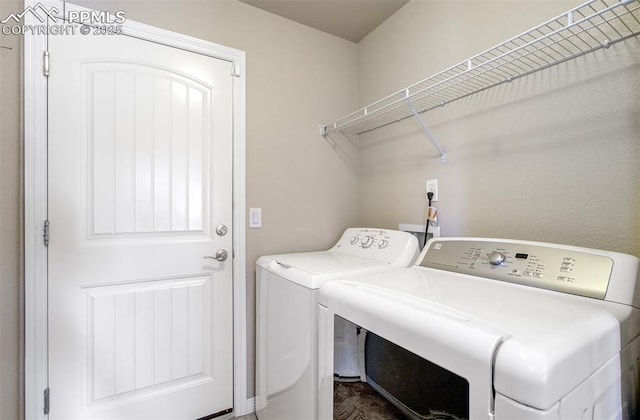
[287, 313]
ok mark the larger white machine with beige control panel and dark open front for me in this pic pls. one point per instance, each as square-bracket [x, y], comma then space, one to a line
[521, 330]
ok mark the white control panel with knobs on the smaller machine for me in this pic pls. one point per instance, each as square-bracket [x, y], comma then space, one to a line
[379, 244]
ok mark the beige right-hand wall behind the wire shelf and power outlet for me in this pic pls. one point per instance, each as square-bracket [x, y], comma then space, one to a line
[551, 157]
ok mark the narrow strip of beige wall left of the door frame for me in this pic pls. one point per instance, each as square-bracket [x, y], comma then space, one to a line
[11, 324]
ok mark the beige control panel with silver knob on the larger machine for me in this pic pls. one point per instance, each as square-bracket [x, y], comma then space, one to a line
[533, 264]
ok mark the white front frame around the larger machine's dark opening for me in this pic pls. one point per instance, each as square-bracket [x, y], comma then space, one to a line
[448, 338]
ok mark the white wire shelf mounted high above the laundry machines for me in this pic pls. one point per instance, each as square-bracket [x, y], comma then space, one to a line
[591, 26]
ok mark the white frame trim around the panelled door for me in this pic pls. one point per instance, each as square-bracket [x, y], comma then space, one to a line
[35, 205]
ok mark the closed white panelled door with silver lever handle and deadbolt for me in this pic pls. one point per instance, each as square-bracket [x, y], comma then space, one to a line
[140, 176]
